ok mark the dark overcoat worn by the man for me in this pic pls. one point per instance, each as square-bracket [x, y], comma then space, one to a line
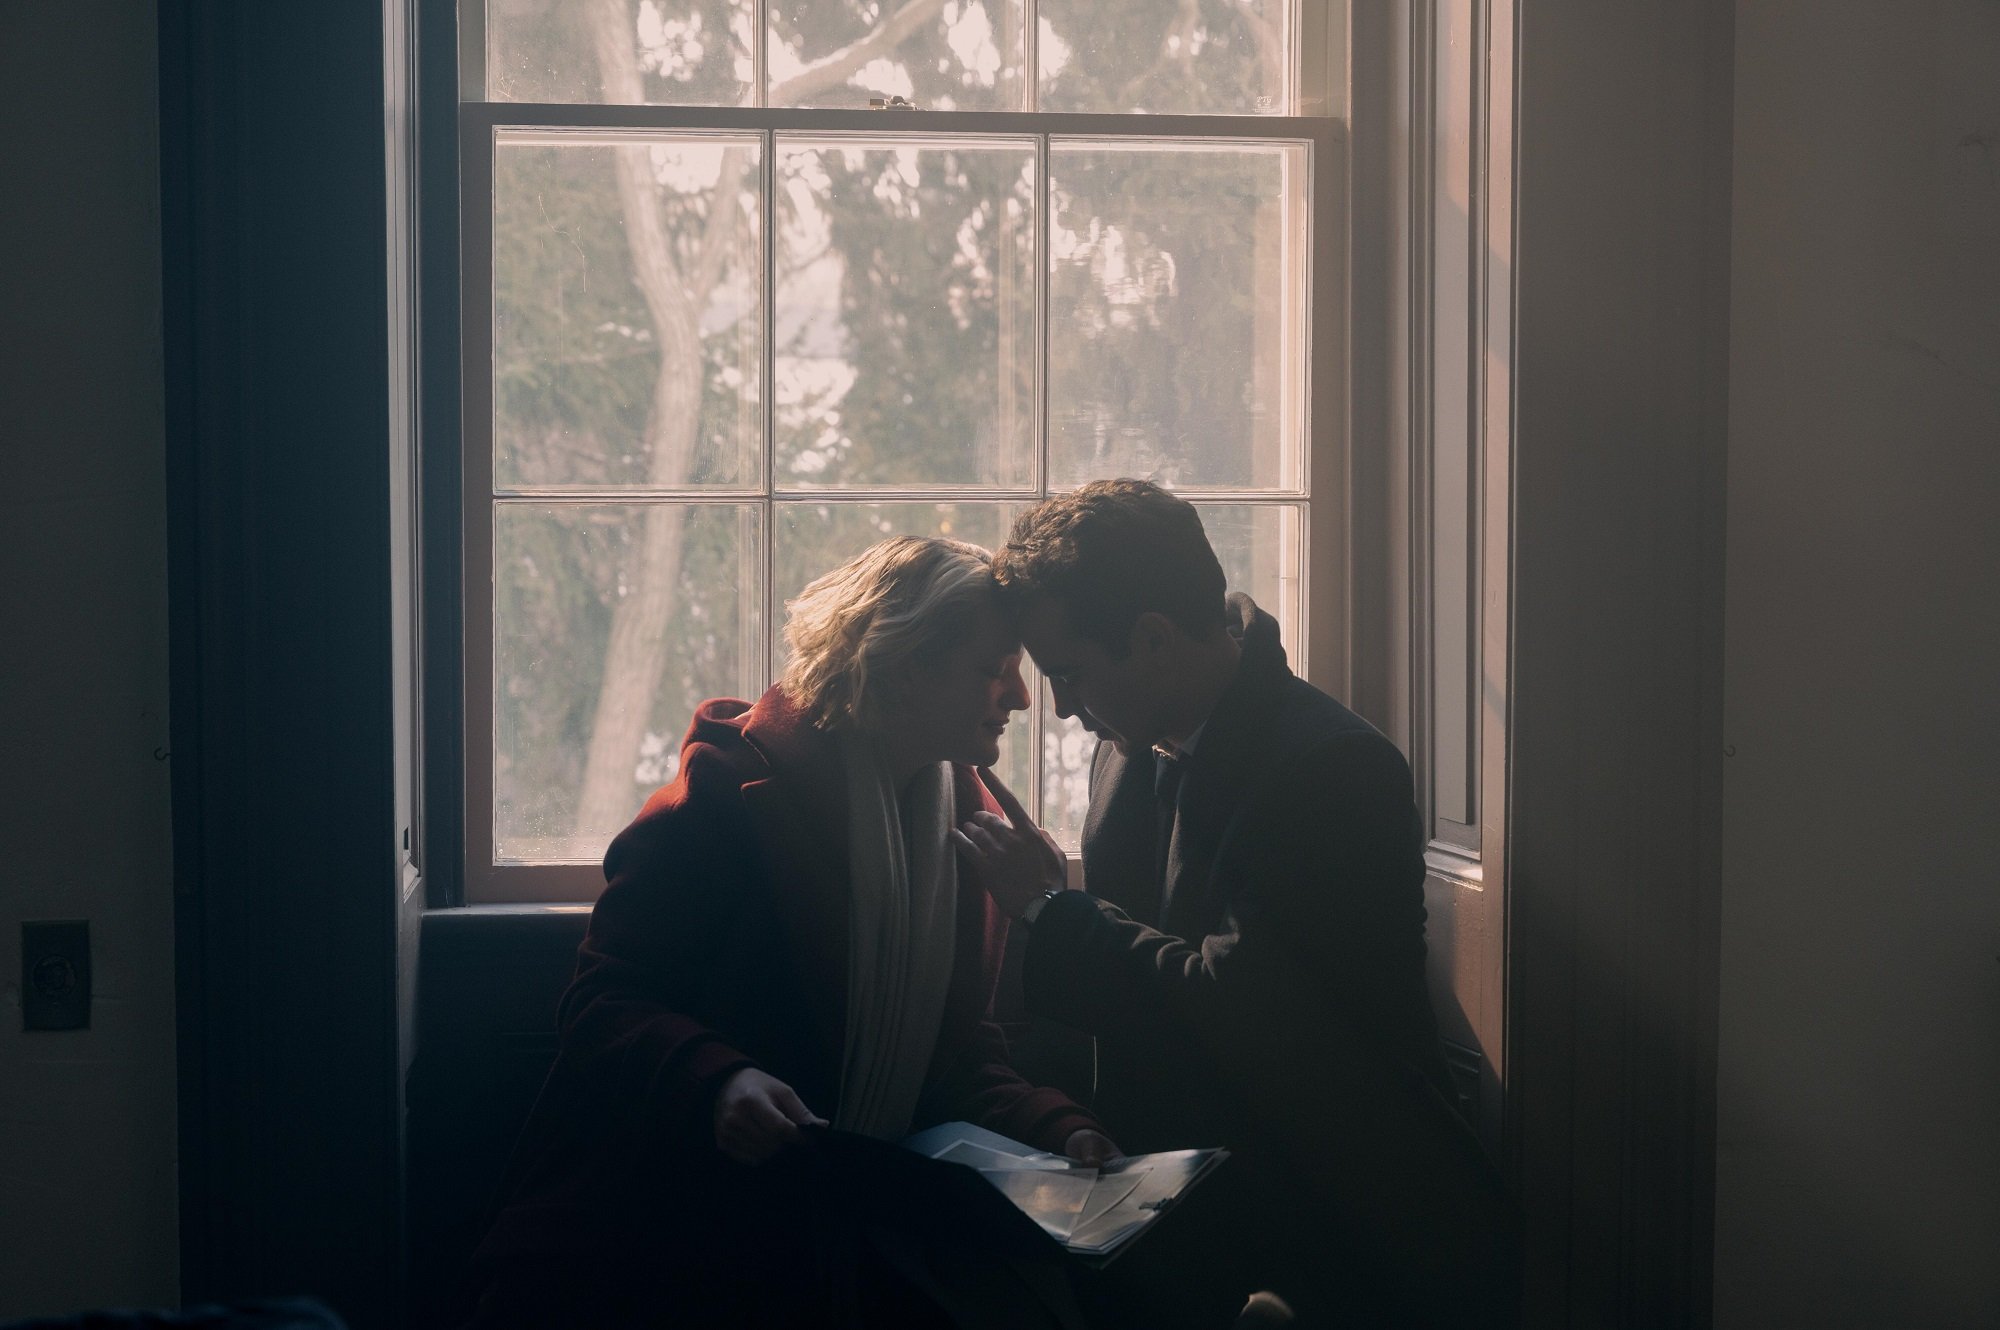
[1271, 995]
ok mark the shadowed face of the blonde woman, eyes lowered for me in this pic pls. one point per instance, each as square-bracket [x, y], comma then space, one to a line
[957, 707]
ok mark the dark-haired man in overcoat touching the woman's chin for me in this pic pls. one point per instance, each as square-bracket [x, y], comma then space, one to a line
[1251, 941]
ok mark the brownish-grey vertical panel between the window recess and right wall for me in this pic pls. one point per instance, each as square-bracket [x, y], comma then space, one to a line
[1615, 727]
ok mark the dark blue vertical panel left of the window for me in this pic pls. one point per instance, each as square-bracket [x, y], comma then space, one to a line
[277, 341]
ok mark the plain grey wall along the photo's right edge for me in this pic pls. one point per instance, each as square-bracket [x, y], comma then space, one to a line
[1859, 1089]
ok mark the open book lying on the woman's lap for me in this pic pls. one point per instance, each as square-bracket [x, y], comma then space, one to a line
[1095, 1213]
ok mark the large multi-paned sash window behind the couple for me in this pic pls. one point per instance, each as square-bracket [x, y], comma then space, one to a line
[725, 325]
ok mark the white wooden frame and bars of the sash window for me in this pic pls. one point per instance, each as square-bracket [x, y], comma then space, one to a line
[1323, 651]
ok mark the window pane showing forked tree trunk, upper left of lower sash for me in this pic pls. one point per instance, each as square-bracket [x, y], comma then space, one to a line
[627, 311]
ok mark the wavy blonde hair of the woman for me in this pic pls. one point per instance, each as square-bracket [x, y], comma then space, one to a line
[857, 631]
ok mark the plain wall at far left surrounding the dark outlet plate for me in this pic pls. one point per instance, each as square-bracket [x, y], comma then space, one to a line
[87, 1119]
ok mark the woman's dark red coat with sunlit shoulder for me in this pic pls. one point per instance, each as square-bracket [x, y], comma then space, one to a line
[721, 943]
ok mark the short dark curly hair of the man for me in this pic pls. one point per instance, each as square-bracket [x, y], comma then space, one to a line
[1115, 551]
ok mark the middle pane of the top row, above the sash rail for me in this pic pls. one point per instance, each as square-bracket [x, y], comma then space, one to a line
[961, 55]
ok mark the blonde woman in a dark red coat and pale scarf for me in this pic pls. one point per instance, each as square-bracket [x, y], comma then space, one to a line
[785, 941]
